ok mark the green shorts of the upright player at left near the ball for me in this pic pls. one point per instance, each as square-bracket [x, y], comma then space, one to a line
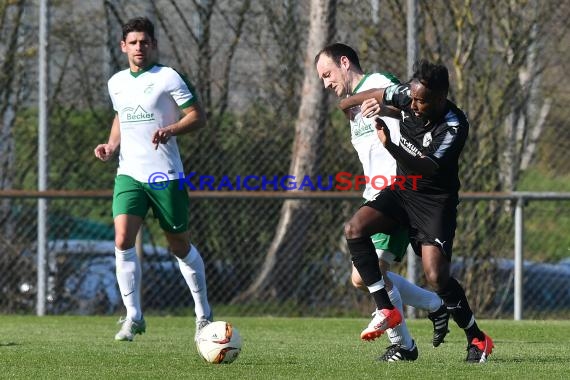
[170, 205]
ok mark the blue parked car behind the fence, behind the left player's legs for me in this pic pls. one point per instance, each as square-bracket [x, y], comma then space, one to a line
[81, 278]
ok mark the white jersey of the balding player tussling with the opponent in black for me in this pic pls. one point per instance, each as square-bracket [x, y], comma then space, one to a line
[375, 159]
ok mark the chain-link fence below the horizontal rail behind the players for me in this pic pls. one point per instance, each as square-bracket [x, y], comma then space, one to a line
[315, 280]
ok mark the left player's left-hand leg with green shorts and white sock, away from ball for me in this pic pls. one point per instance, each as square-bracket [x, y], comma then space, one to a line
[129, 208]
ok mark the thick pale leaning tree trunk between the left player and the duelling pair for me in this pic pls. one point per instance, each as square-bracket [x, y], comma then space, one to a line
[281, 268]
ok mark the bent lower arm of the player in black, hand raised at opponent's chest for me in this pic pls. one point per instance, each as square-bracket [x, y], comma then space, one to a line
[420, 164]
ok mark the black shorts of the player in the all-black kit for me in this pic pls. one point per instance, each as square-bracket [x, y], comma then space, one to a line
[431, 219]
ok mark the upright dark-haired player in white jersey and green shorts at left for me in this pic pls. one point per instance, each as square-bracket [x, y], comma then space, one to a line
[153, 104]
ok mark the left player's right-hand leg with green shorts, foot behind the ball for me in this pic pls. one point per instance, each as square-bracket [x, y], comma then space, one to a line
[171, 207]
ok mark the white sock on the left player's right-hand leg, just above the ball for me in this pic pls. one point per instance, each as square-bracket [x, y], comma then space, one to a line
[192, 268]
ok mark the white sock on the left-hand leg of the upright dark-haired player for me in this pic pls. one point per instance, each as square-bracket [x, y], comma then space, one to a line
[128, 270]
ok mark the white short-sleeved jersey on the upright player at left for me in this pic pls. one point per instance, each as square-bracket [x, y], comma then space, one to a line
[145, 101]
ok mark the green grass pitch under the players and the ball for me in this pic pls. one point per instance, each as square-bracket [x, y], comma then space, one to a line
[274, 348]
